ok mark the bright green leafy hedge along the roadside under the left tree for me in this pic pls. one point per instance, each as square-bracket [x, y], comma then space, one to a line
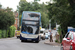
[8, 33]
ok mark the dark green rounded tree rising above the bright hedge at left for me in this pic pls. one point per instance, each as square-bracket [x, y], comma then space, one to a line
[6, 18]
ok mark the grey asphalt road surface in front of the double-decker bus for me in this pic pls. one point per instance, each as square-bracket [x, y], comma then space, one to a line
[16, 44]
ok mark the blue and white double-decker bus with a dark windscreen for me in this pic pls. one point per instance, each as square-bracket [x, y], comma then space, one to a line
[30, 26]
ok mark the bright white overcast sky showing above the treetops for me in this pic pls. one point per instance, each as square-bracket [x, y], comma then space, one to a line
[13, 3]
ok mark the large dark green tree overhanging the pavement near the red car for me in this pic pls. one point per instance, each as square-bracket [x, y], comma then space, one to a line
[62, 12]
